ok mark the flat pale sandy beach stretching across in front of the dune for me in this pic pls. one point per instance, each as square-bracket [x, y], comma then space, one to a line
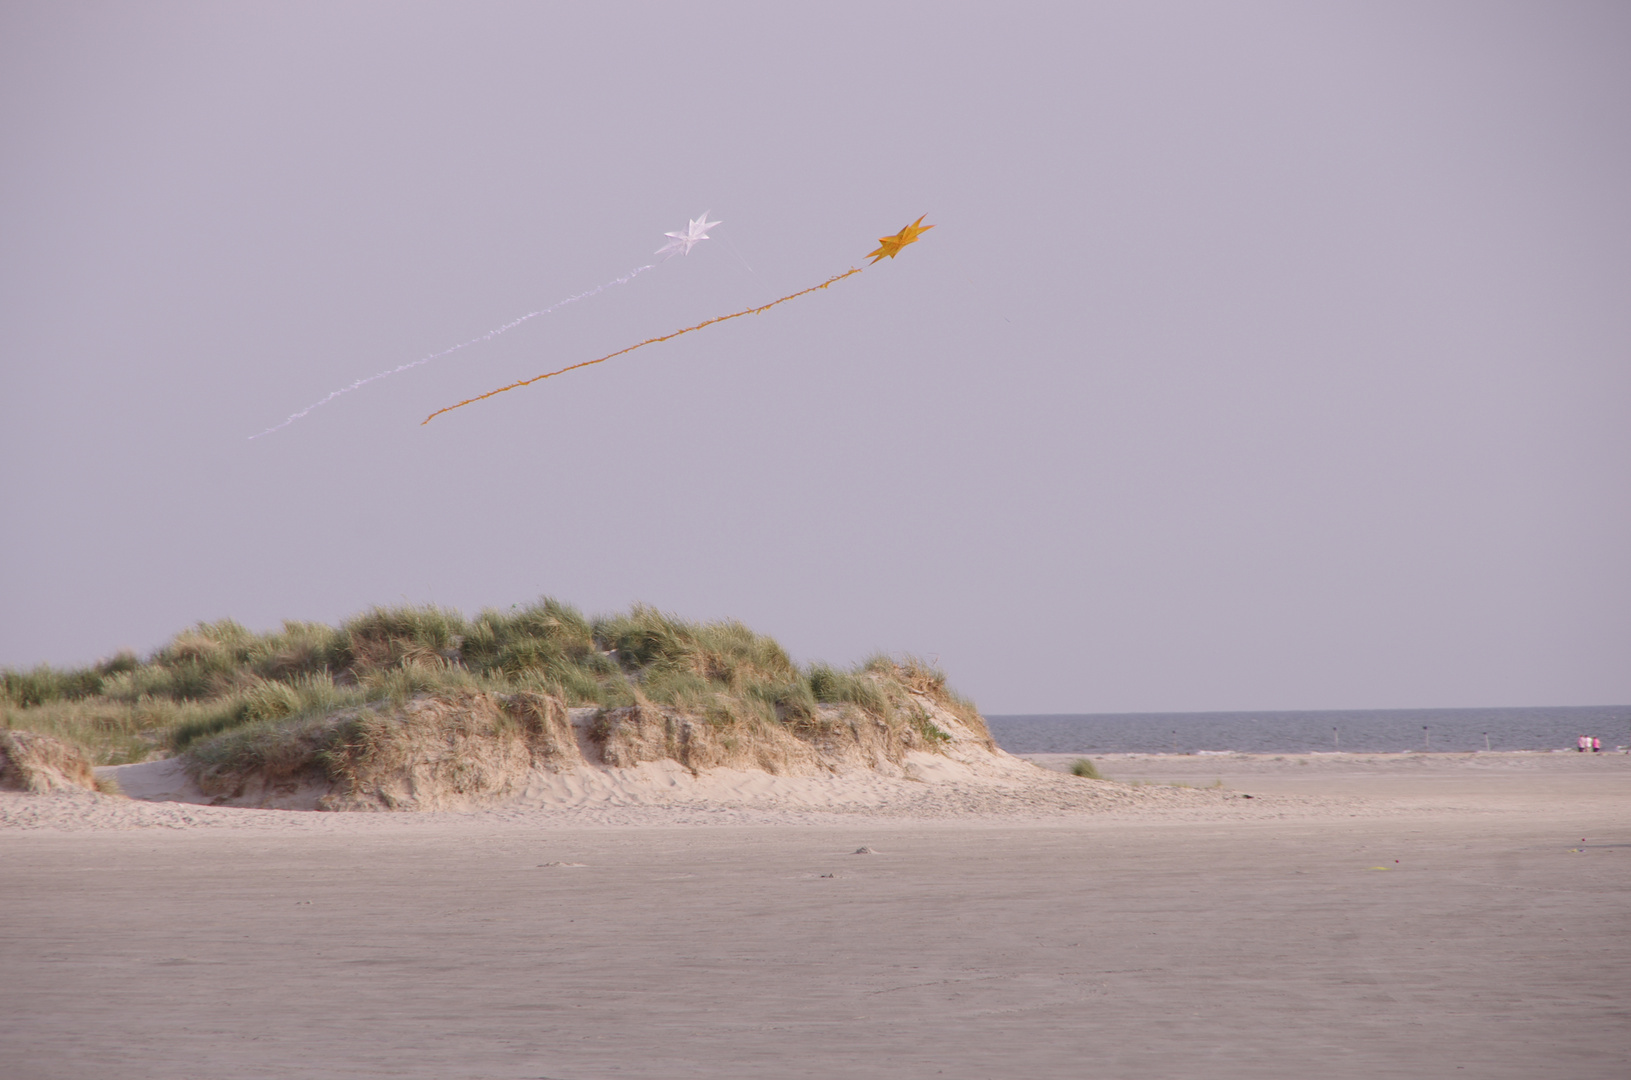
[1361, 916]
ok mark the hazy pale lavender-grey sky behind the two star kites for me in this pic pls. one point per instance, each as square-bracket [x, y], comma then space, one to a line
[1263, 355]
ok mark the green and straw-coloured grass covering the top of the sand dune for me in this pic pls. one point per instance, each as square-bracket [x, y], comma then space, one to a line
[216, 679]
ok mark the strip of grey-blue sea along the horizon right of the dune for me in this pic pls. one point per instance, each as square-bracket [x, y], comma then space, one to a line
[1372, 732]
